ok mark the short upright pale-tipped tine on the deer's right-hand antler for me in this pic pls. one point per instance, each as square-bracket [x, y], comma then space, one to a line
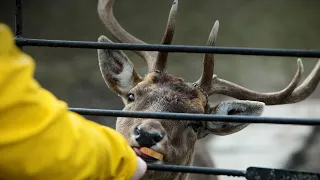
[208, 62]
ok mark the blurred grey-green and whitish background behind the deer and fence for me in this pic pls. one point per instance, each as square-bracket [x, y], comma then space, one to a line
[73, 75]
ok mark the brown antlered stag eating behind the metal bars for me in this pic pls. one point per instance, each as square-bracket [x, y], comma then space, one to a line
[159, 91]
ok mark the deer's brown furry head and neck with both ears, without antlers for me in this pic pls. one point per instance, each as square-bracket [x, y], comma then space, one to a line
[159, 91]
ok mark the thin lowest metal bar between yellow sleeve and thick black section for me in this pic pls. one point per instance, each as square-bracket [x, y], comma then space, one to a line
[196, 170]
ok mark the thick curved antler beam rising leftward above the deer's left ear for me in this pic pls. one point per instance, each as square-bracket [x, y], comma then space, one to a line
[105, 11]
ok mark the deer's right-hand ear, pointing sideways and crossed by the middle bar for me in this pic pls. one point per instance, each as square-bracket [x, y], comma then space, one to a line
[235, 107]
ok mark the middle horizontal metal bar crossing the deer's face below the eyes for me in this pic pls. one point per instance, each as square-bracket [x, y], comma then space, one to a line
[199, 117]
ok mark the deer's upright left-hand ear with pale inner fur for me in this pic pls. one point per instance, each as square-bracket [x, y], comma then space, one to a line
[117, 70]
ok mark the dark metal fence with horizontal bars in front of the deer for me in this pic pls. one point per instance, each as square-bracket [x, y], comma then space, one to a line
[250, 173]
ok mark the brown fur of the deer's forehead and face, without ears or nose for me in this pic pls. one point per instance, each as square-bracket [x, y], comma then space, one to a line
[161, 92]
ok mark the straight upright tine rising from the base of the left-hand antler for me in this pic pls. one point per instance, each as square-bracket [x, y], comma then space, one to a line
[161, 62]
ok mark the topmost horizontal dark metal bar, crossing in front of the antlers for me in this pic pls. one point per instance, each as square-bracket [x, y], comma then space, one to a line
[169, 48]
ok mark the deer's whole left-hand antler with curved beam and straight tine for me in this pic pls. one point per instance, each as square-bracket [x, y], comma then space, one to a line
[155, 60]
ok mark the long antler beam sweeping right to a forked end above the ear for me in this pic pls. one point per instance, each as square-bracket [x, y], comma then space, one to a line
[288, 95]
